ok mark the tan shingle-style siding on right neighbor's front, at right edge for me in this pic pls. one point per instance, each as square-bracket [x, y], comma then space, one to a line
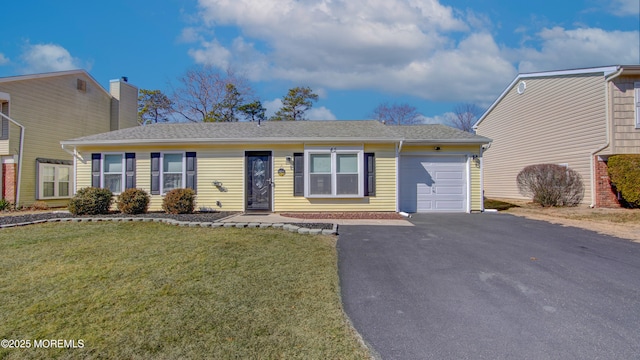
[625, 135]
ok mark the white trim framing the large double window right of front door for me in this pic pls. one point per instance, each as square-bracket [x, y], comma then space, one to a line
[359, 151]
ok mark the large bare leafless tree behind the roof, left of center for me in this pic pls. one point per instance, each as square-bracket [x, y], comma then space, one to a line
[205, 94]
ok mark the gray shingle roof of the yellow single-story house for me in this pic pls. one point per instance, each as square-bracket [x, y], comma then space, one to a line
[275, 132]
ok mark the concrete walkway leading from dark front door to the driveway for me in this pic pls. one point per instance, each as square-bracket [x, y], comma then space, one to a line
[273, 218]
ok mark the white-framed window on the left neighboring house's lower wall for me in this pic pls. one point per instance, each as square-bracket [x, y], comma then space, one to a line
[54, 179]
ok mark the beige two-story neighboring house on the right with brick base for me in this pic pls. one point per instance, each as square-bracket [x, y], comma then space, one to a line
[576, 118]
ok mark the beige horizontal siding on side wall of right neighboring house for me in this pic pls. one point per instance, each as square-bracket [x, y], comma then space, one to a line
[558, 120]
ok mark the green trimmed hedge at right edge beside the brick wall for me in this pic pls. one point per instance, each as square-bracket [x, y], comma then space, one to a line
[624, 172]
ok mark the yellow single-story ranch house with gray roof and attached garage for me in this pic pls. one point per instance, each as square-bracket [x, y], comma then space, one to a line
[290, 166]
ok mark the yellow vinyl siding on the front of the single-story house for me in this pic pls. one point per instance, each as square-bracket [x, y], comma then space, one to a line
[226, 164]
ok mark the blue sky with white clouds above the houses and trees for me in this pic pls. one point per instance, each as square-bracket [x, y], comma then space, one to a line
[355, 54]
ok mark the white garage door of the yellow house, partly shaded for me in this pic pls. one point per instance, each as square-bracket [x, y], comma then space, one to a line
[433, 183]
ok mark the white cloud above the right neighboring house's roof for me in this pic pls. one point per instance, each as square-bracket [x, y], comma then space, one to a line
[566, 49]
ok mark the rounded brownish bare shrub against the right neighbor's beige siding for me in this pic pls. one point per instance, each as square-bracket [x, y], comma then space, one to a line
[551, 185]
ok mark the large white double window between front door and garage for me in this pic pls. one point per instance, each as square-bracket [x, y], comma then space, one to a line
[334, 173]
